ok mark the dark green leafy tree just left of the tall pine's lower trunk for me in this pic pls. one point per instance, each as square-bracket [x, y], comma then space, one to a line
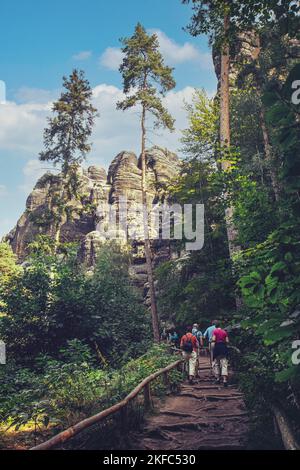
[118, 320]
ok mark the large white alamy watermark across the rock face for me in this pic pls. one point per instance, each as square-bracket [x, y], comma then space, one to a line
[129, 220]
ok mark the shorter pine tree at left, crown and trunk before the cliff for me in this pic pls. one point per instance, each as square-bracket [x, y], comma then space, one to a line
[66, 140]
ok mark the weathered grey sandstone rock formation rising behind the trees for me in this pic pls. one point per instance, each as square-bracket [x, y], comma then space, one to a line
[79, 219]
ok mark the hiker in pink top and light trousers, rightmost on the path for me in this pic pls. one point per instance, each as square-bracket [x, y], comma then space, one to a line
[220, 354]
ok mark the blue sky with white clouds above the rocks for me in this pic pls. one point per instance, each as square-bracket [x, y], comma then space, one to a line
[41, 41]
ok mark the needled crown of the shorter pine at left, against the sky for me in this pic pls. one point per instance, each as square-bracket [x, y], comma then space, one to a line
[66, 137]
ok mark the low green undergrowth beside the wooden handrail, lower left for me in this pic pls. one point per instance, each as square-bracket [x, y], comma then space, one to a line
[63, 390]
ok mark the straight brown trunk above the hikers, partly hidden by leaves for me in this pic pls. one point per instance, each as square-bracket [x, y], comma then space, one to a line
[225, 140]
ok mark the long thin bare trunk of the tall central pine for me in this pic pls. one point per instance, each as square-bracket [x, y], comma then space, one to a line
[148, 254]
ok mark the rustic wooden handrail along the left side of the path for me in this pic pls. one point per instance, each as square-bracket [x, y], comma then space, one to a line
[86, 423]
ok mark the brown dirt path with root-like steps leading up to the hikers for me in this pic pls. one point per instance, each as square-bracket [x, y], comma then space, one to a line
[201, 416]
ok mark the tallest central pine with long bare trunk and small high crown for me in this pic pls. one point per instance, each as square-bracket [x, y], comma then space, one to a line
[145, 76]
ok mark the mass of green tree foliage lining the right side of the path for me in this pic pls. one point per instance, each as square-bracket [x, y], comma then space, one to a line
[263, 188]
